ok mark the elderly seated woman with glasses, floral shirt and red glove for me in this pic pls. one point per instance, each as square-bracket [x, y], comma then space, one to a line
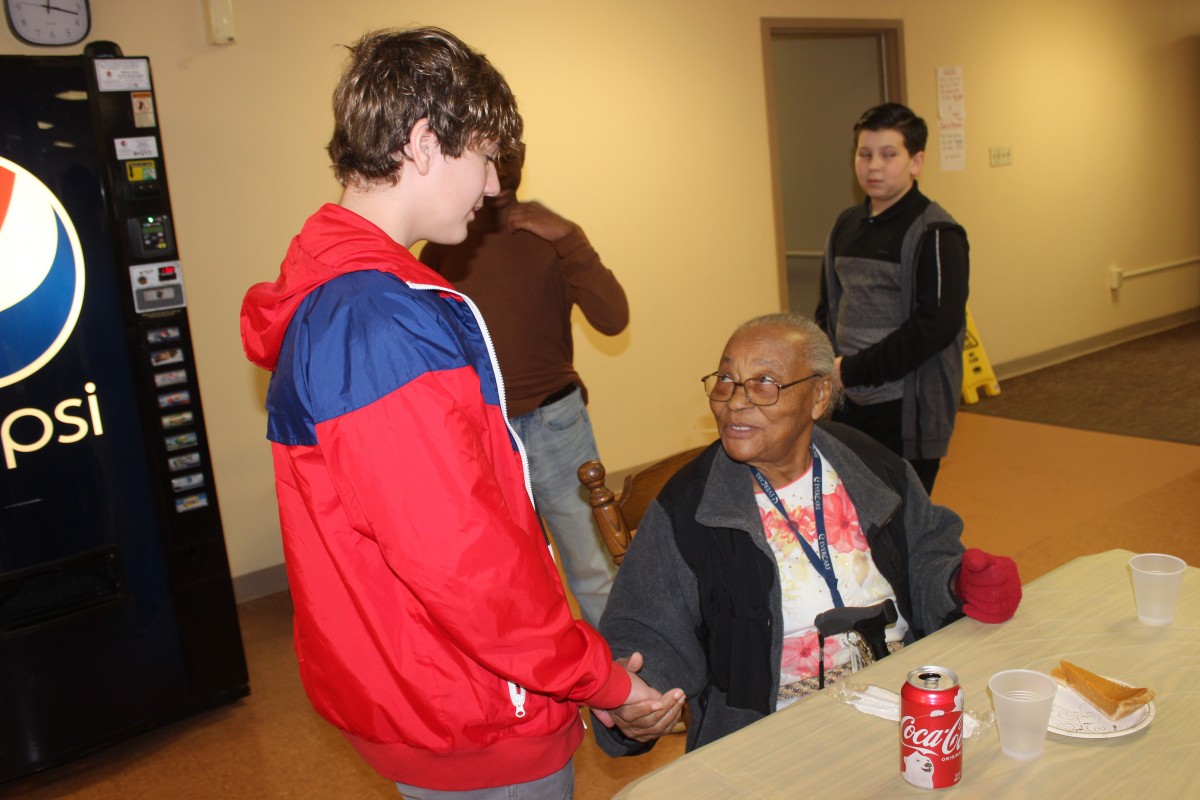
[718, 596]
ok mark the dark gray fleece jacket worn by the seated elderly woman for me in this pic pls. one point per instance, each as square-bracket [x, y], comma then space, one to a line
[699, 596]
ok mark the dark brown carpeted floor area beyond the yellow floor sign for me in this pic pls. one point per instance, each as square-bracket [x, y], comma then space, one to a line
[1149, 388]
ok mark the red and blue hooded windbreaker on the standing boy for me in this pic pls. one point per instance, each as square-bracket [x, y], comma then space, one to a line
[431, 625]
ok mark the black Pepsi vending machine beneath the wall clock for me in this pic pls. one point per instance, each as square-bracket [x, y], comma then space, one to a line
[117, 607]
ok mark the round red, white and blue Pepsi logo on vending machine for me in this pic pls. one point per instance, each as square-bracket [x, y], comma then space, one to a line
[41, 274]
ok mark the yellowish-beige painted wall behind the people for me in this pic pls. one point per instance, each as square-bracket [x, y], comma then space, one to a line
[647, 123]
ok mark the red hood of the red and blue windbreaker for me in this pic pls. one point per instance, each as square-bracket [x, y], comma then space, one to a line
[334, 242]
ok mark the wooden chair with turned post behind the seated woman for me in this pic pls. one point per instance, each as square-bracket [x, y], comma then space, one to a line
[619, 518]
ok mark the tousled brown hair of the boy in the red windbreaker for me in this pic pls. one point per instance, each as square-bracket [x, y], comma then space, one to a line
[397, 79]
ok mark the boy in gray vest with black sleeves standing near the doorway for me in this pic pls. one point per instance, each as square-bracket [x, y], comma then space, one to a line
[893, 297]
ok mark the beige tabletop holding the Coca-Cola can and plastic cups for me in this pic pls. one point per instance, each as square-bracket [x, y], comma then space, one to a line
[1083, 612]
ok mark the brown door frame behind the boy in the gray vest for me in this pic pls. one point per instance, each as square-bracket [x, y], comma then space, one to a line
[891, 33]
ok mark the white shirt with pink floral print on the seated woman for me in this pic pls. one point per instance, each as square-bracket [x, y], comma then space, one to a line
[805, 592]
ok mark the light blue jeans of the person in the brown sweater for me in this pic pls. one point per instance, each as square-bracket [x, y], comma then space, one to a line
[559, 440]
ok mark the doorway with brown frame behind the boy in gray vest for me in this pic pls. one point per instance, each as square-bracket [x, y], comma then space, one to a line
[821, 76]
